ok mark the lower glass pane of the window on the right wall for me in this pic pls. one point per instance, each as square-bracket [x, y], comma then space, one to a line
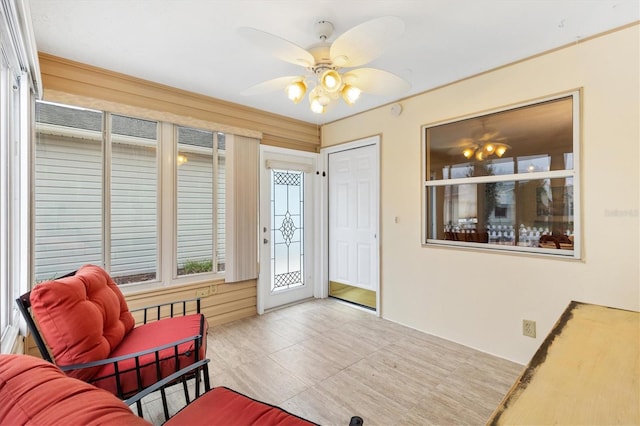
[533, 213]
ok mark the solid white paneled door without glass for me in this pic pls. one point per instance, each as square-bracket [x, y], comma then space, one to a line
[353, 216]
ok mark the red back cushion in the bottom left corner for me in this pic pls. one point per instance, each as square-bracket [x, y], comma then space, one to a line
[35, 392]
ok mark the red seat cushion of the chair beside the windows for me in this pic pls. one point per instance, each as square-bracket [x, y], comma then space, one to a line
[147, 336]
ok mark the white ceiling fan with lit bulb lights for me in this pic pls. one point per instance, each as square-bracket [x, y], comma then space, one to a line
[329, 67]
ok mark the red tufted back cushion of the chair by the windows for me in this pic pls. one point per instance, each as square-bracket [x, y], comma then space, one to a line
[82, 318]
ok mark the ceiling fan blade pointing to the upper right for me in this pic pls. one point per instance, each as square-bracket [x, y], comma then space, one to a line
[365, 42]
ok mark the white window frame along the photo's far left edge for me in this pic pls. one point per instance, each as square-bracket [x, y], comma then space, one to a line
[20, 83]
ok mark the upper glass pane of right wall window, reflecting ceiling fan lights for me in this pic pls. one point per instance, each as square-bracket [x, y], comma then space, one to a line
[528, 139]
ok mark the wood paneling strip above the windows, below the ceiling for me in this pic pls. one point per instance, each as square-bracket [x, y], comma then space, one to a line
[63, 76]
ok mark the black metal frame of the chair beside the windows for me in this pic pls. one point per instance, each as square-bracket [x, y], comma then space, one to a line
[180, 376]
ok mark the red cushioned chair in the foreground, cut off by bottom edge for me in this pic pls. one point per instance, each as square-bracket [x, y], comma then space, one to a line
[35, 392]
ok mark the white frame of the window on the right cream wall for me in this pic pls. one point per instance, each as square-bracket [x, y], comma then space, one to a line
[574, 173]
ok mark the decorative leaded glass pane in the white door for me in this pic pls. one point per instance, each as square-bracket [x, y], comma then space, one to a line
[287, 231]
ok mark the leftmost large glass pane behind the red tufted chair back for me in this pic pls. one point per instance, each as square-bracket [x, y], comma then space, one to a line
[68, 189]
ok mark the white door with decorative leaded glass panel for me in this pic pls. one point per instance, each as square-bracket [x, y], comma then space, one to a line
[286, 217]
